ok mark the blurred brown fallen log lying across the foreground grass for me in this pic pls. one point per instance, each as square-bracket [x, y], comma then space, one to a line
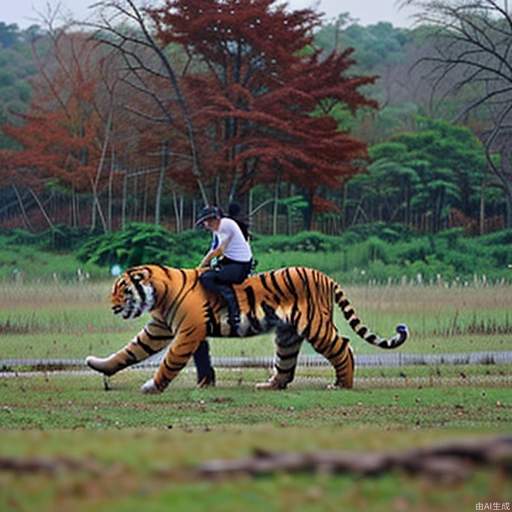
[449, 462]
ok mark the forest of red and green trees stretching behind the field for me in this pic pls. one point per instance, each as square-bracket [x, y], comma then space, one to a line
[146, 114]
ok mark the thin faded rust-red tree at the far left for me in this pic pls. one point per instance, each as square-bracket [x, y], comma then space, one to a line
[62, 135]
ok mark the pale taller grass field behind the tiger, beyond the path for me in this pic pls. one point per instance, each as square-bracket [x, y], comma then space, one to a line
[70, 321]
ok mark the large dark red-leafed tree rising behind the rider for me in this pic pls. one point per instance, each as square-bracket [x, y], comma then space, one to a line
[260, 96]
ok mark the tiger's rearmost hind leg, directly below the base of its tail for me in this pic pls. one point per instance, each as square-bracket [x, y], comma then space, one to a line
[337, 350]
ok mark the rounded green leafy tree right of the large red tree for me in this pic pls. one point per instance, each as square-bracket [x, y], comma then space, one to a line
[424, 173]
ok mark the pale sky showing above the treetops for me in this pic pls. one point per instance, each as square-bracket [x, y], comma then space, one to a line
[24, 12]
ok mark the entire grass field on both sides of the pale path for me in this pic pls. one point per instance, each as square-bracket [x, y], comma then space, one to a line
[133, 452]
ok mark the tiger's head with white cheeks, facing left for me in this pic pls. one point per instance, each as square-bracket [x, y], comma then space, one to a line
[133, 293]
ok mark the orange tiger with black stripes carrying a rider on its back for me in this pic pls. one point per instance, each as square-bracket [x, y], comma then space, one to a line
[295, 302]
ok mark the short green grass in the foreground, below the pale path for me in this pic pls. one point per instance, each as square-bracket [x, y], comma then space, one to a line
[138, 446]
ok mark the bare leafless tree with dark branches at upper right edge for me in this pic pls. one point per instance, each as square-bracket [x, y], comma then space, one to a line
[473, 45]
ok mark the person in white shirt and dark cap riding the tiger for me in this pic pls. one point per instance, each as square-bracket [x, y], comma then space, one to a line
[230, 244]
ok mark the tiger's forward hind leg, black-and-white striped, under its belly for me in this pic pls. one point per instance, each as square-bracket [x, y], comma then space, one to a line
[288, 344]
